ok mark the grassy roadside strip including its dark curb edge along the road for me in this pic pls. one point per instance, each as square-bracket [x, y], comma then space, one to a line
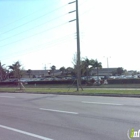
[86, 91]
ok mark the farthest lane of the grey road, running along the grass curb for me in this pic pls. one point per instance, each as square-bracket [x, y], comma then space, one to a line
[72, 98]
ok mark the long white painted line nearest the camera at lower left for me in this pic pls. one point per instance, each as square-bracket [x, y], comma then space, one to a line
[25, 133]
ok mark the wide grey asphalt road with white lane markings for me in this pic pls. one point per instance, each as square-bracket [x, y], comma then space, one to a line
[63, 117]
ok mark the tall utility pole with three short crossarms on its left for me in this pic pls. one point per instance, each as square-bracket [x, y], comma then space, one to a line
[78, 45]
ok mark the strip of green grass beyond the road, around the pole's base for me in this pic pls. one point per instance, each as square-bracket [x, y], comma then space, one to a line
[72, 90]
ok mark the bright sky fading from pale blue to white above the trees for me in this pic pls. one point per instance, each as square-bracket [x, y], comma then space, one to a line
[38, 32]
